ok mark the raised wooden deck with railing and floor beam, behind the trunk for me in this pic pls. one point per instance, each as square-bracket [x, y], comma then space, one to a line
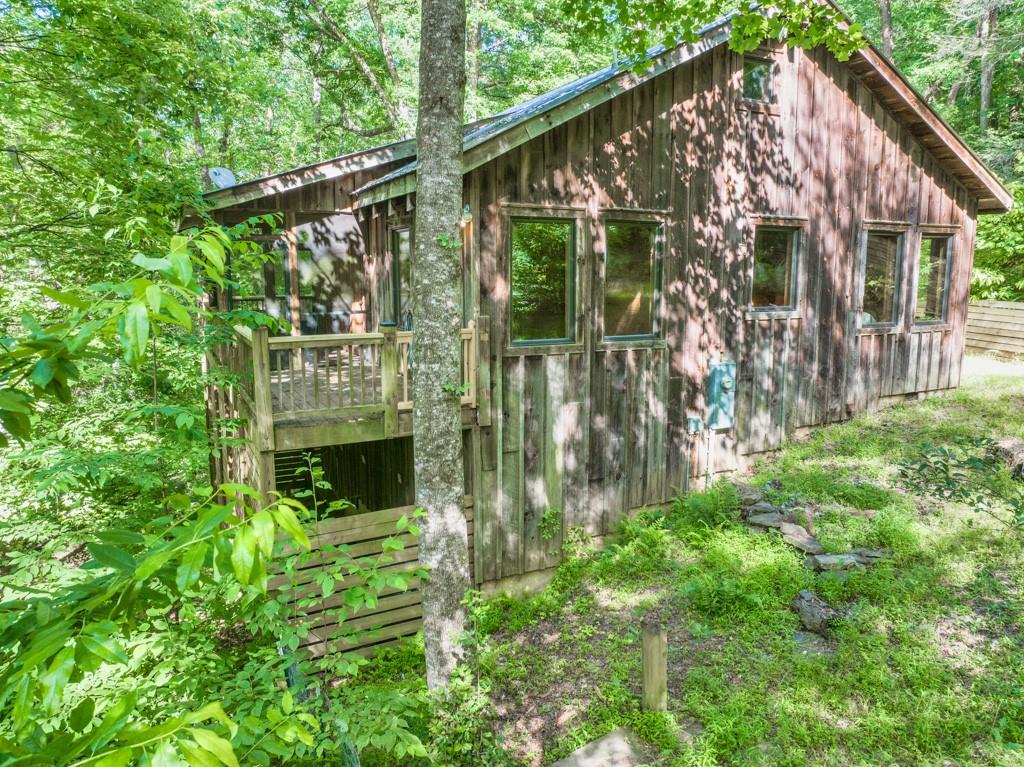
[307, 392]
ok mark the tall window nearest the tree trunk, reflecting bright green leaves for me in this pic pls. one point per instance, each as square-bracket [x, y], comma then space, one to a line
[542, 278]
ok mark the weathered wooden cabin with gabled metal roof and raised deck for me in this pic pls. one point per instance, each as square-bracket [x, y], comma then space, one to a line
[665, 275]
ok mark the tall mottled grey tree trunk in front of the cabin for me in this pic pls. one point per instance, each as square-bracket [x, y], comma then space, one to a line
[438, 299]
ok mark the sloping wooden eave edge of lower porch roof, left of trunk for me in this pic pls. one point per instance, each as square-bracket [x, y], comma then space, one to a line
[298, 178]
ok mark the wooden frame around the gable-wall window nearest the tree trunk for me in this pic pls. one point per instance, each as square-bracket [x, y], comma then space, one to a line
[557, 215]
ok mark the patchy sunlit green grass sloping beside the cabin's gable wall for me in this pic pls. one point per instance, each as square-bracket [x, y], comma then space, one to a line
[928, 670]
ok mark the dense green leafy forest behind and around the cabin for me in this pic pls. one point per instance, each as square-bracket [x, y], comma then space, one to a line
[111, 116]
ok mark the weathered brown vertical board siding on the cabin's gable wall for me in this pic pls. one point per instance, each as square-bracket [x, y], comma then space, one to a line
[594, 430]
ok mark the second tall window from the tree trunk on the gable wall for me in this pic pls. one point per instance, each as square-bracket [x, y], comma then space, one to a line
[631, 278]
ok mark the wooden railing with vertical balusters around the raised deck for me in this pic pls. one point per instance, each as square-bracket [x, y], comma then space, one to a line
[288, 379]
